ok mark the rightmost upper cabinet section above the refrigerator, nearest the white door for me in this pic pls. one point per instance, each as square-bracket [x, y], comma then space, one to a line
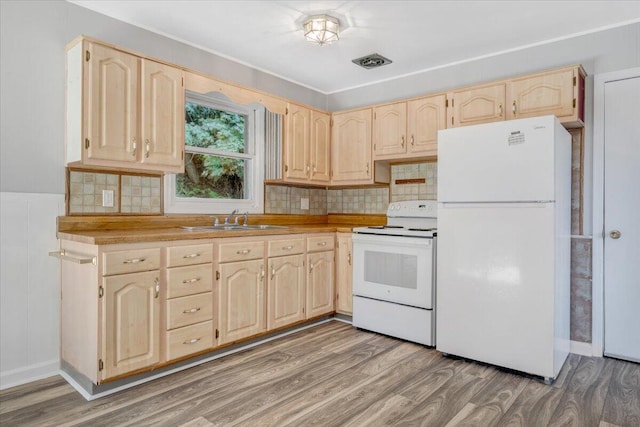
[558, 92]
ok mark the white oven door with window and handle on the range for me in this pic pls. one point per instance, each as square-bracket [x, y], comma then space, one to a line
[394, 268]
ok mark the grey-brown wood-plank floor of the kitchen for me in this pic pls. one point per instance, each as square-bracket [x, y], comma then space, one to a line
[336, 375]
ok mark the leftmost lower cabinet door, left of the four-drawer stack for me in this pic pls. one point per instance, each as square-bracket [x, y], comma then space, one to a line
[131, 328]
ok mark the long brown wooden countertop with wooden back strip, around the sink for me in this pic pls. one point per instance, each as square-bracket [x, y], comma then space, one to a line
[109, 230]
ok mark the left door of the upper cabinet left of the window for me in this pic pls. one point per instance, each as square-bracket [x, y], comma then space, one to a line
[111, 106]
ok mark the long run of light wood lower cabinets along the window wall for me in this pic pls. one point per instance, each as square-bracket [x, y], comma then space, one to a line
[130, 308]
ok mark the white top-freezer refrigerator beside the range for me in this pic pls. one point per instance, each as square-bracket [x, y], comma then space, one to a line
[504, 224]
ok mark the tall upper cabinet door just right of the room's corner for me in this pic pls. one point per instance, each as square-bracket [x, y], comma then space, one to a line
[351, 148]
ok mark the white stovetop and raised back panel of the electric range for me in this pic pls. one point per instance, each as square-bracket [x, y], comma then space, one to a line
[415, 218]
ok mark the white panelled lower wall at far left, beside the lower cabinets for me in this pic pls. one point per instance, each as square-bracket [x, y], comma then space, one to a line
[29, 291]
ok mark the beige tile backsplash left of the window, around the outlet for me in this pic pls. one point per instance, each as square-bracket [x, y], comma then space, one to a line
[132, 194]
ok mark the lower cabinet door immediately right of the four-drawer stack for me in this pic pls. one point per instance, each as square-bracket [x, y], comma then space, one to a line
[241, 301]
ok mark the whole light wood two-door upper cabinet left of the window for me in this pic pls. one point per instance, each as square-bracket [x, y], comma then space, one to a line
[123, 111]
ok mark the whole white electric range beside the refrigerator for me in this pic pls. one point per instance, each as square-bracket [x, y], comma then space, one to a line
[394, 273]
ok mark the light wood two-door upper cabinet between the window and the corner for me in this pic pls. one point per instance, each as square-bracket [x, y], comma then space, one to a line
[307, 145]
